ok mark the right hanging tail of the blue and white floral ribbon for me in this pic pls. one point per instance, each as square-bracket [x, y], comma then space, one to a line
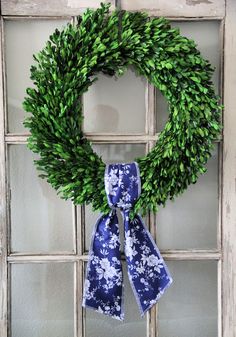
[148, 273]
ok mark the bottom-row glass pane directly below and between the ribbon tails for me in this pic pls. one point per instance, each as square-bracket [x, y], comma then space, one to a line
[98, 325]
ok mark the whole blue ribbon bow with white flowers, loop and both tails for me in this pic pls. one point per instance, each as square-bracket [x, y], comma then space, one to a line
[147, 271]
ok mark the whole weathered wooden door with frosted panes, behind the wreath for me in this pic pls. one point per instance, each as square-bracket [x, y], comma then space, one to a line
[44, 240]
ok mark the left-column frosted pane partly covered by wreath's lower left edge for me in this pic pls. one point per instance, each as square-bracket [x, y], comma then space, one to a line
[40, 220]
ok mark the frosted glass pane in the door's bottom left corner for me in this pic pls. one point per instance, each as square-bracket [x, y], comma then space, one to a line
[42, 300]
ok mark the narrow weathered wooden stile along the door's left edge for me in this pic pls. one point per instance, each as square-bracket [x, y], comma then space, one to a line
[3, 210]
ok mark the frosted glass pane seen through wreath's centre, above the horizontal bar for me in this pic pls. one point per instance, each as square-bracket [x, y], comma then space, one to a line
[112, 105]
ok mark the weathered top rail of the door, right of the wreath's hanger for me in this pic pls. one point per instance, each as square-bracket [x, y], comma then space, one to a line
[177, 8]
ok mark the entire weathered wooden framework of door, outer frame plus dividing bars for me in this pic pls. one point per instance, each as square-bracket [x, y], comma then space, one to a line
[225, 254]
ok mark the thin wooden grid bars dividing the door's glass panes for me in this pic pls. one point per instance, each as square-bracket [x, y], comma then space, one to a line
[79, 234]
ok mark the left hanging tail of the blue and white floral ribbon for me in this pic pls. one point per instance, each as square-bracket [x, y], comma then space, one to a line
[103, 283]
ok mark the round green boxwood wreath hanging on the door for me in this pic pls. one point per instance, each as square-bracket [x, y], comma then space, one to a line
[107, 42]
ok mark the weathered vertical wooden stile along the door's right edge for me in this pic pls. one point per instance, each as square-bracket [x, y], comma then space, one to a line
[229, 175]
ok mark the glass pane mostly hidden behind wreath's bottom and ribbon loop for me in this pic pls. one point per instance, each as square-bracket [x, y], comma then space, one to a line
[110, 153]
